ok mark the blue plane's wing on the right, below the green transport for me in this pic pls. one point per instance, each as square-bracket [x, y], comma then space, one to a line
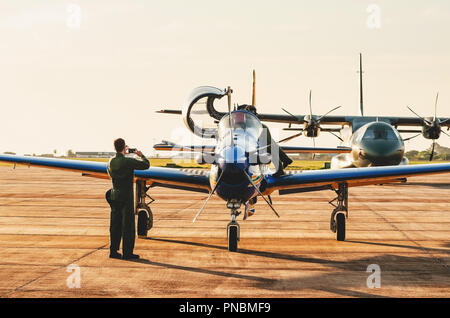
[330, 178]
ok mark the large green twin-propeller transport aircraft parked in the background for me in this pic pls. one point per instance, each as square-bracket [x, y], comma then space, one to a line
[375, 141]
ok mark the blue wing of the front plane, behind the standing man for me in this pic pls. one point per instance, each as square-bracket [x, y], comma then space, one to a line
[155, 176]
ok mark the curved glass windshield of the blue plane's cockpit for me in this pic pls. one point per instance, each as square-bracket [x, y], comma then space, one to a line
[241, 121]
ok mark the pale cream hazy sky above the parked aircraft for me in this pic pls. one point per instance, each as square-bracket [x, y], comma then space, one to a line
[78, 74]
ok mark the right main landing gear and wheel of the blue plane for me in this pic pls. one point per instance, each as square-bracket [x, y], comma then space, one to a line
[340, 212]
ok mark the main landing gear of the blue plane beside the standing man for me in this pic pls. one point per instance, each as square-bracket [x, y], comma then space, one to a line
[142, 209]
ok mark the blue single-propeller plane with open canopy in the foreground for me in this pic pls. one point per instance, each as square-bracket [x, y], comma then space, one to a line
[240, 171]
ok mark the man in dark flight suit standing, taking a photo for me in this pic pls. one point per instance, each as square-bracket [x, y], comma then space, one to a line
[121, 199]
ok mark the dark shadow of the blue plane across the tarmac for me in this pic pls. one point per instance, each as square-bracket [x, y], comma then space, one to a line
[399, 270]
